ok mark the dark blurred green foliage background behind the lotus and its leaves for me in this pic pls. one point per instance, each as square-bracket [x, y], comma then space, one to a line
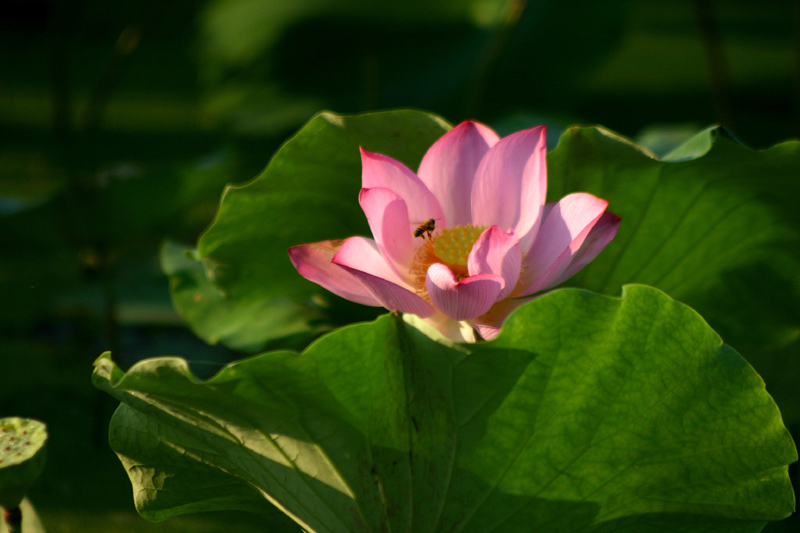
[121, 122]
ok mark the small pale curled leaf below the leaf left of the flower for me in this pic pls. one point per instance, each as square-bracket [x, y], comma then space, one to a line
[247, 327]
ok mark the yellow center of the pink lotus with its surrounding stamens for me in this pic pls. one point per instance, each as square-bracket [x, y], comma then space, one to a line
[450, 247]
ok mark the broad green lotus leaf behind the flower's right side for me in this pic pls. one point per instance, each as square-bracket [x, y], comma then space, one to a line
[715, 224]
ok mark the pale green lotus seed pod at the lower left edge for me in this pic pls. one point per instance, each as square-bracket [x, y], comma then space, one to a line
[22, 456]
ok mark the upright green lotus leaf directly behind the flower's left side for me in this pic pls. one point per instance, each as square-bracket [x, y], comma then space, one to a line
[307, 193]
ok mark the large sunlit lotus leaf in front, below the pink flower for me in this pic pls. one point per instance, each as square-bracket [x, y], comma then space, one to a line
[588, 413]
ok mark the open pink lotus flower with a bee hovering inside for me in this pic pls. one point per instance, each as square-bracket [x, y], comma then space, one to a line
[465, 240]
